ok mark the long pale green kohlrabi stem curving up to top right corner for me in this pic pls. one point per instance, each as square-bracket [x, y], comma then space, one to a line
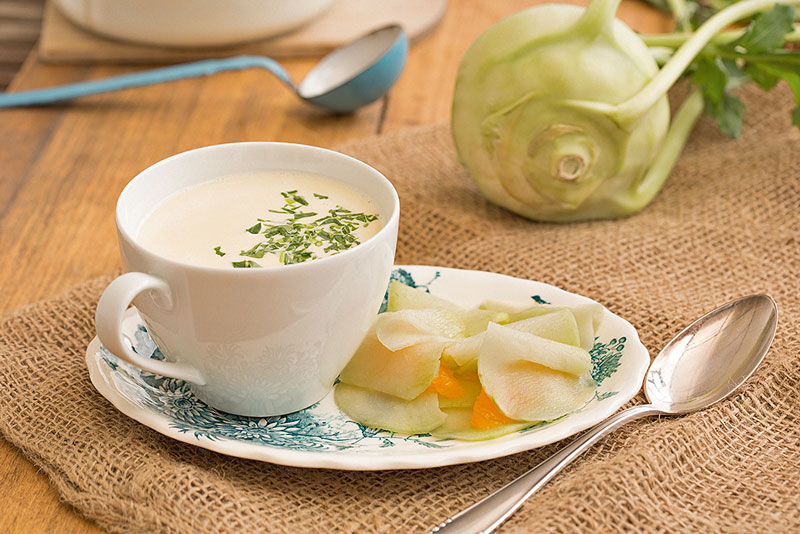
[641, 102]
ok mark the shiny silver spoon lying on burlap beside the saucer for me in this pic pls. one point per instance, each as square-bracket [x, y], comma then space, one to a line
[702, 365]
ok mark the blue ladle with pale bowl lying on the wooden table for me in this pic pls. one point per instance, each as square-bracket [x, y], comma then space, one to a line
[348, 78]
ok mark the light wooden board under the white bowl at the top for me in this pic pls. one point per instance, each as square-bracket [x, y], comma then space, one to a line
[64, 42]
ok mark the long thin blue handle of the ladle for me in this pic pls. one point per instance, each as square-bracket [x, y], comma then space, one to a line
[38, 97]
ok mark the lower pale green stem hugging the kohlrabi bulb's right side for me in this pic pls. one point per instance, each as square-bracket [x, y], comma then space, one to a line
[677, 135]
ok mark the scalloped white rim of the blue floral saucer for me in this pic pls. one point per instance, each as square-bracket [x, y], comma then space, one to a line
[636, 355]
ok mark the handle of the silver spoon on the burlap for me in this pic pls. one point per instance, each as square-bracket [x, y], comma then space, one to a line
[487, 514]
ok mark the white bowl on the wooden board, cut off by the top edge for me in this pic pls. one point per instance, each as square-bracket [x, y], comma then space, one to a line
[191, 23]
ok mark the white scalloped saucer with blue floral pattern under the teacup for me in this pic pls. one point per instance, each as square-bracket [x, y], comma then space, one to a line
[322, 436]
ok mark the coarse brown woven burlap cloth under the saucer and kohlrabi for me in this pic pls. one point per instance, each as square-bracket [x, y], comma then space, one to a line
[726, 225]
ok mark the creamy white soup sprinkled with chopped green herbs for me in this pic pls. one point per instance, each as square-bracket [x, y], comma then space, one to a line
[258, 220]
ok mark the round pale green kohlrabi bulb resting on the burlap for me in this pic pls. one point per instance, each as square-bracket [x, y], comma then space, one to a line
[535, 117]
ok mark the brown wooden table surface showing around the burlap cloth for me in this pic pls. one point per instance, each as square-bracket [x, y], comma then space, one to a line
[62, 167]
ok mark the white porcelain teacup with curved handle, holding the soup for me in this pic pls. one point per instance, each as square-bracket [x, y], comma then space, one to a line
[251, 342]
